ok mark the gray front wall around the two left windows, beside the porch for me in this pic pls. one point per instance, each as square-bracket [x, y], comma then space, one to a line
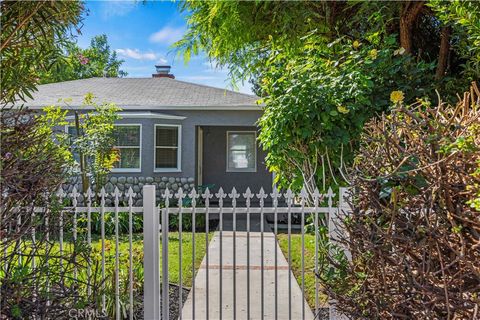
[185, 178]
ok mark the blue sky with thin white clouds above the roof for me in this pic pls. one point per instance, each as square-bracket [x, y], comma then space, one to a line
[142, 34]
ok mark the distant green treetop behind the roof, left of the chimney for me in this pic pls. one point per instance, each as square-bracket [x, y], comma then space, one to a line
[98, 60]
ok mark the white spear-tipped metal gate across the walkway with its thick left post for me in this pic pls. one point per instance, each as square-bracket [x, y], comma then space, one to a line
[156, 288]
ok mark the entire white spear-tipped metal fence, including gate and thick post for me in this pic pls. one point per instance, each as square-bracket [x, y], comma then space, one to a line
[154, 281]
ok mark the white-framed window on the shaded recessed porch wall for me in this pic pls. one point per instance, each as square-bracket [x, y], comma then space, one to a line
[241, 151]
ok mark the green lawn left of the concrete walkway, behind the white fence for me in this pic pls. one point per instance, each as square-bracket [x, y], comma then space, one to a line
[137, 259]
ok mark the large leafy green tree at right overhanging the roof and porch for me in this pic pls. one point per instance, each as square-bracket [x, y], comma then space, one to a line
[288, 49]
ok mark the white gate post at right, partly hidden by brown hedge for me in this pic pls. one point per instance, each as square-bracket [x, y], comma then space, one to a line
[334, 231]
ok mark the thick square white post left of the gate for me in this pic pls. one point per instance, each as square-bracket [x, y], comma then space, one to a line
[151, 261]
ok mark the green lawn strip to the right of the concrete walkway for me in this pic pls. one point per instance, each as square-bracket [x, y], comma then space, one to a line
[296, 263]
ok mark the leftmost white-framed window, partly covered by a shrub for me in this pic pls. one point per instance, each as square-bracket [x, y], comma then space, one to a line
[128, 143]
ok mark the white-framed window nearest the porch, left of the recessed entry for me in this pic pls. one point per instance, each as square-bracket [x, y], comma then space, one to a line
[167, 147]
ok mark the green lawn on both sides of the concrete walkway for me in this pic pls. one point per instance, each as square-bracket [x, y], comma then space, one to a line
[187, 259]
